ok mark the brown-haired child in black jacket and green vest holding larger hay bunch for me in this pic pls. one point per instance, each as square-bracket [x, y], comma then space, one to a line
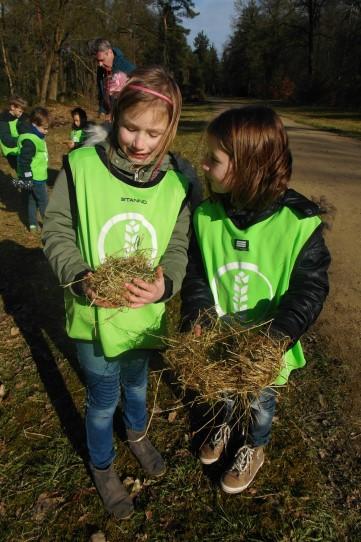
[257, 253]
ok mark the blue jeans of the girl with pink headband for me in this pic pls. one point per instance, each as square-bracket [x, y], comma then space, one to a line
[104, 378]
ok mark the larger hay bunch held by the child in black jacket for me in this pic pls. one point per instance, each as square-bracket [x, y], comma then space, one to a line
[227, 360]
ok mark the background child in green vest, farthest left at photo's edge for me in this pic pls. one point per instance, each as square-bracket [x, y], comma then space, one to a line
[10, 123]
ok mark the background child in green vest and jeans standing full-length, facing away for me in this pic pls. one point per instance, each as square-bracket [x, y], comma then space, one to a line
[33, 165]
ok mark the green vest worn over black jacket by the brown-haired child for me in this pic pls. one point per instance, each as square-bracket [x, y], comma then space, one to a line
[249, 269]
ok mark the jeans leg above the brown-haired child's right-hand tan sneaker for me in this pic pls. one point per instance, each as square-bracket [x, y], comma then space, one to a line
[262, 412]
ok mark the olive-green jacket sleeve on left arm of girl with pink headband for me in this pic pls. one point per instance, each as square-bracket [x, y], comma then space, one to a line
[59, 235]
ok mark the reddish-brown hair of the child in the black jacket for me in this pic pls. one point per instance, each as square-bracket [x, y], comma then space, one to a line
[256, 141]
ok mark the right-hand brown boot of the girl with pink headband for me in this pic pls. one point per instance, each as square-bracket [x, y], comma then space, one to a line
[149, 458]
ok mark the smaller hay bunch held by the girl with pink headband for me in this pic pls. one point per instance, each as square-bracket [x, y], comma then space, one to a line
[108, 281]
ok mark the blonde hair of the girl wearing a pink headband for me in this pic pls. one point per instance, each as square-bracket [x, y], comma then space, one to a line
[156, 79]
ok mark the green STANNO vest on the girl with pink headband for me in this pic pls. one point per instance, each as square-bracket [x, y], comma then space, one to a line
[115, 218]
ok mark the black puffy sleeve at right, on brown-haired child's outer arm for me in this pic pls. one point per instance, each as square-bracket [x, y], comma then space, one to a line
[308, 288]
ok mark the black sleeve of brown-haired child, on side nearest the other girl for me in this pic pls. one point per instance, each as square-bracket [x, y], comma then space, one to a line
[196, 295]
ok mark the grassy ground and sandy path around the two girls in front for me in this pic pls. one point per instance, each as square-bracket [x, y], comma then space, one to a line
[309, 487]
